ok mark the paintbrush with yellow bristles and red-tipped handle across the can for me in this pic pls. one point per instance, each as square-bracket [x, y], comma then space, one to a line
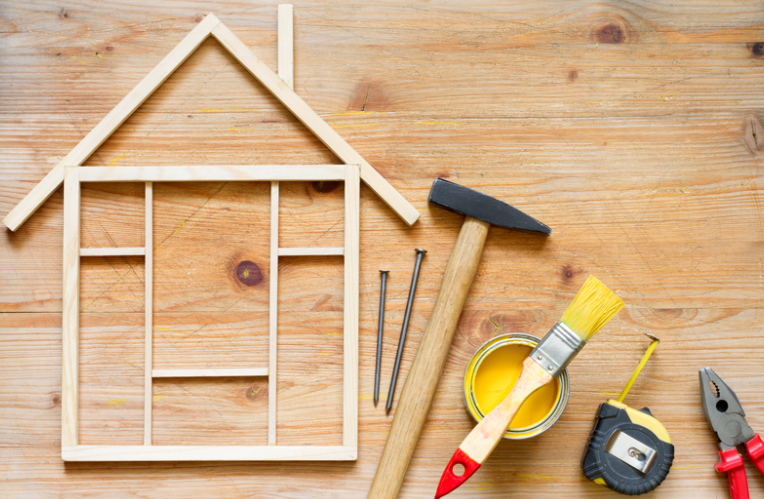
[592, 308]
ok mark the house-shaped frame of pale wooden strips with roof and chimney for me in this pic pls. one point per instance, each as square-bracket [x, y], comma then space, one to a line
[72, 175]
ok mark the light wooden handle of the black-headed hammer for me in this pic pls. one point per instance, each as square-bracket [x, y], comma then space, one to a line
[423, 377]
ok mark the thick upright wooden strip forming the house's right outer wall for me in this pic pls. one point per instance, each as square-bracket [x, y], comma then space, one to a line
[351, 299]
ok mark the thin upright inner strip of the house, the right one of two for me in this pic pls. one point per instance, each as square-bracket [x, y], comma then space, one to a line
[273, 306]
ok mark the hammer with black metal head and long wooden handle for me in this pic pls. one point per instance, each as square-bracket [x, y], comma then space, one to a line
[481, 212]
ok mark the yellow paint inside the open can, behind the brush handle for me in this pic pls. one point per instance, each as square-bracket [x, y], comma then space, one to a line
[496, 376]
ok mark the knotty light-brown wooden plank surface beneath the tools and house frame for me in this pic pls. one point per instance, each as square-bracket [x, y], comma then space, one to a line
[633, 129]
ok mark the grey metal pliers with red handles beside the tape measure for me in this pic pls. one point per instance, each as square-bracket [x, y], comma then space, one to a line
[727, 418]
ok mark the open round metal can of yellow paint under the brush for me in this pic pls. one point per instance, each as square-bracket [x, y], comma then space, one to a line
[493, 371]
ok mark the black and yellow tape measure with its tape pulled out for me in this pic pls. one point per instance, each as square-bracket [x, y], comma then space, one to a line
[629, 451]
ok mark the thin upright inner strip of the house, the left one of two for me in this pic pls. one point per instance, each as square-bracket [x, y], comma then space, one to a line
[149, 309]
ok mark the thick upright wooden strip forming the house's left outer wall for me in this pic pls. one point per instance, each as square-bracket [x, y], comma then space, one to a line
[71, 310]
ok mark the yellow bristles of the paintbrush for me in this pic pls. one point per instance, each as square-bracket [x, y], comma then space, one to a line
[592, 308]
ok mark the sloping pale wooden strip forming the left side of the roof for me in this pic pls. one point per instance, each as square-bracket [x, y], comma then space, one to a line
[137, 96]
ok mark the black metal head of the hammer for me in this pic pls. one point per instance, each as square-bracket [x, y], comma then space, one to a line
[471, 203]
